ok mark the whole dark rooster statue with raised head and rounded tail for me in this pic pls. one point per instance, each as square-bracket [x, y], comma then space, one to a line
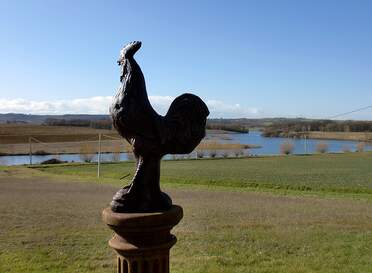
[151, 135]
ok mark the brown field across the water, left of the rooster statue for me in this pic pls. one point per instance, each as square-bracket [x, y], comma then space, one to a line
[14, 139]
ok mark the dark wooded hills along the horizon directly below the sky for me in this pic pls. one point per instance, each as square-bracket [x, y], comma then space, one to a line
[273, 126]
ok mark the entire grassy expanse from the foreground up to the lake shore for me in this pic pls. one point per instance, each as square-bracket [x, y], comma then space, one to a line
[50, 217]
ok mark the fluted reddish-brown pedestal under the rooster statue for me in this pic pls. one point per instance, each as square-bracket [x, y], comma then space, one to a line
[143, 240]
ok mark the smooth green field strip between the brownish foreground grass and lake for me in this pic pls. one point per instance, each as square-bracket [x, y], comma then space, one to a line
[343, 173]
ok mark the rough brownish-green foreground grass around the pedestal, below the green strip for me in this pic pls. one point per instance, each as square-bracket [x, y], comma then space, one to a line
[56, 227]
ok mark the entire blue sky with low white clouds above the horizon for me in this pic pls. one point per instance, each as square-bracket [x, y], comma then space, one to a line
[245, 58]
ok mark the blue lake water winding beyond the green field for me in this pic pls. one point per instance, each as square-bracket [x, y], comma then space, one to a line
[269, 146]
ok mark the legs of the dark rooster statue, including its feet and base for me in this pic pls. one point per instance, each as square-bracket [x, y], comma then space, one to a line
[143, 194]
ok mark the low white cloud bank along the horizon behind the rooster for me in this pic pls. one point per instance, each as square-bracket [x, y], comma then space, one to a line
[100, 105]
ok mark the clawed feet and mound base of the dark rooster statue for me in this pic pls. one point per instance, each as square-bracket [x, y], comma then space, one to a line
[129, 200]
